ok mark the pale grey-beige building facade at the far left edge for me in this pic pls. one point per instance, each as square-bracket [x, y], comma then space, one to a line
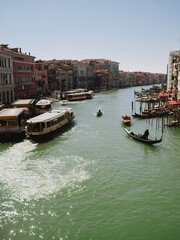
[6, 75]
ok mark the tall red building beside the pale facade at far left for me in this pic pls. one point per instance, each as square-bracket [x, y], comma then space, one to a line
[23, 71]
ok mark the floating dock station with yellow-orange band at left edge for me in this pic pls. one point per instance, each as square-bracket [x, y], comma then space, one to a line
[12, 123]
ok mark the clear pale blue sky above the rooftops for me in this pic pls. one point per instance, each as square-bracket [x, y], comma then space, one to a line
[136, 33]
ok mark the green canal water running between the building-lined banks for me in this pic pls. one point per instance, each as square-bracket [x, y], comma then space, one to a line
[93, 181]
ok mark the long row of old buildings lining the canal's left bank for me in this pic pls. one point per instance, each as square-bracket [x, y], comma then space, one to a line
[23, 77]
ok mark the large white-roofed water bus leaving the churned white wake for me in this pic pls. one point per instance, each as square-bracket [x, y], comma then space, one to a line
[49, 122]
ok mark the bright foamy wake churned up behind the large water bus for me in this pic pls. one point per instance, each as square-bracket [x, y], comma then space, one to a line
[29, 174]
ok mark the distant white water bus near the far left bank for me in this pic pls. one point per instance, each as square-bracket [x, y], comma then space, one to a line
[78, 94]
